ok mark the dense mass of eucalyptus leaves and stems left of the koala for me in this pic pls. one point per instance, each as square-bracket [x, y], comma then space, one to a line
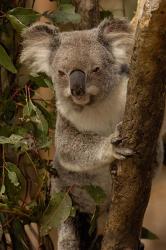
[26, 120]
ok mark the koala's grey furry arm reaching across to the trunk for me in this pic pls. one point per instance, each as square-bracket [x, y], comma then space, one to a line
[78, 151]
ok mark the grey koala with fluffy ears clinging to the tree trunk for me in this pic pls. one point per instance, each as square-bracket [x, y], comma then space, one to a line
[89, 70]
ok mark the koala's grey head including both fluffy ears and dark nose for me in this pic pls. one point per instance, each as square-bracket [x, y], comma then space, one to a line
[84, 65]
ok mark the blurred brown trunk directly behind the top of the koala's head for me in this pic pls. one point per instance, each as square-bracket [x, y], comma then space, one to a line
[89, 11]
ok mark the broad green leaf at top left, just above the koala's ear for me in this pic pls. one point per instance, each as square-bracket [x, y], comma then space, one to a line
[24, 15]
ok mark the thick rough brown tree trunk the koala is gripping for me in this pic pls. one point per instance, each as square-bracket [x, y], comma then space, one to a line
[140, 130]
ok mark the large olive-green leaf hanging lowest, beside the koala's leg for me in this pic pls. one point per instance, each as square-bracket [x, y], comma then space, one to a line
[57, 212]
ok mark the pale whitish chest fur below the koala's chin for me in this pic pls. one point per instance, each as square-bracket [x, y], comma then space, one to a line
[101, 118]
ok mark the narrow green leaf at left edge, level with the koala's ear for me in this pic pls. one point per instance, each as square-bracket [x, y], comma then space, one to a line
[6, 61]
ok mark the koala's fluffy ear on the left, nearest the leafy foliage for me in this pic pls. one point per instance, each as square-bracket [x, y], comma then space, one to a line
[39, 42]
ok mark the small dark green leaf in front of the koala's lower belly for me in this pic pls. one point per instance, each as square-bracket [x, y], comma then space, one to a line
[96, 193]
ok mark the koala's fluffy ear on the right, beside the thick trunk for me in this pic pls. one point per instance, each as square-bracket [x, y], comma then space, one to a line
[117, 36]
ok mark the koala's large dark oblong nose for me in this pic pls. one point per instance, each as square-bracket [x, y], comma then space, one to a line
[77, 83]
